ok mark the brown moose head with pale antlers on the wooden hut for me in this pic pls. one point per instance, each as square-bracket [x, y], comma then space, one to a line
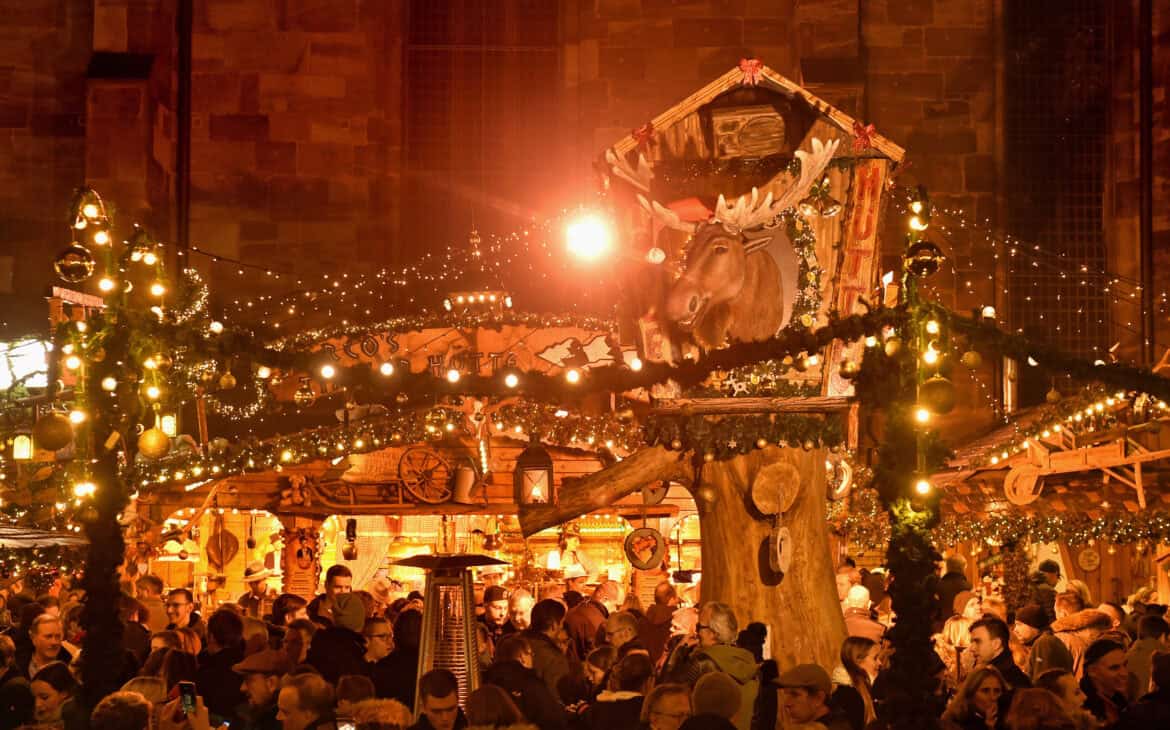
[741, 272]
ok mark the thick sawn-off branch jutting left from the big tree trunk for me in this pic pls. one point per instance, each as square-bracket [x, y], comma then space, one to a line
[604, 488]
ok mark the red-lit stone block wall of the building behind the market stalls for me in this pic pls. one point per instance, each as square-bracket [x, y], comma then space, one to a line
[328, 135]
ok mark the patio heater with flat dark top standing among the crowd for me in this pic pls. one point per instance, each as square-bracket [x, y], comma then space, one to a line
[449, 618]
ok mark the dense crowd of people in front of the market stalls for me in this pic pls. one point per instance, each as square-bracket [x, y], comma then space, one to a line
[581, 658]
